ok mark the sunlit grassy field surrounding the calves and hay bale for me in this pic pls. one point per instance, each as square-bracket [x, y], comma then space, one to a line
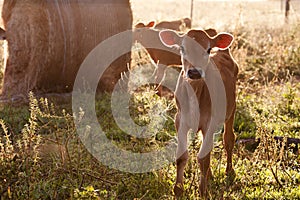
[41, 157]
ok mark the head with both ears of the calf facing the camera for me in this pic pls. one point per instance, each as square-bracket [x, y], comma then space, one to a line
[196, 48]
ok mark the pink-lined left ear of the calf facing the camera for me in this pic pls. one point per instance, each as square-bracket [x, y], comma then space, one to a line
[170, 38]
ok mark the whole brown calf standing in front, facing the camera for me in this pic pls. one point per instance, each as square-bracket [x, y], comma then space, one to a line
[205, 97]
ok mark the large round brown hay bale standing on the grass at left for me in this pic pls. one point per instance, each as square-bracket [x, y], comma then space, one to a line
[48, 40]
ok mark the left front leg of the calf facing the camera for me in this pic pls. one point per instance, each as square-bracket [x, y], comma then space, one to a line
[181, 155]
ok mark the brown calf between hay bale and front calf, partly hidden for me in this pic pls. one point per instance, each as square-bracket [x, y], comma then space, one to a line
[161, 56]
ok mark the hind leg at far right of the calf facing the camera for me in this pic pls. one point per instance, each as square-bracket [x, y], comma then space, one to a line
[229, 139]
